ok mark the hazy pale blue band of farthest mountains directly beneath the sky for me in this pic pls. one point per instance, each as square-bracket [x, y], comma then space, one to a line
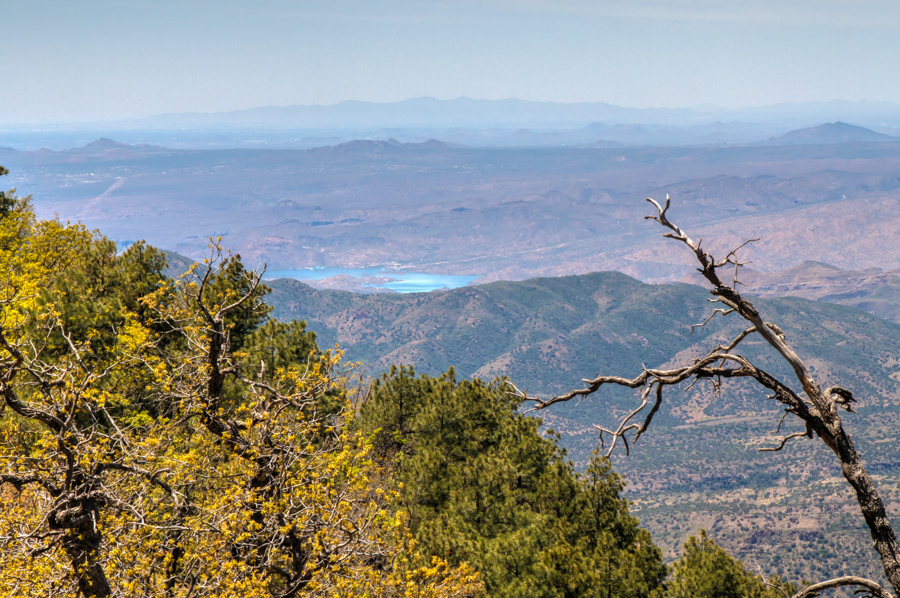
[465, 121]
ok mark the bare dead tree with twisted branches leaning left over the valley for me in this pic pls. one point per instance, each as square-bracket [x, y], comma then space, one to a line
[817, 409]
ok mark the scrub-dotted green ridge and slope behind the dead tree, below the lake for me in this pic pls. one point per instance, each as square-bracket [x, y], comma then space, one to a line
[787, 512]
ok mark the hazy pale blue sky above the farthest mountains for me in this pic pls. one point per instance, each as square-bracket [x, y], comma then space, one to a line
[101, 59]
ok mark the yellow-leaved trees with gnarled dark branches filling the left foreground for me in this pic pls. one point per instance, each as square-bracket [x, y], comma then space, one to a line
[145, 457]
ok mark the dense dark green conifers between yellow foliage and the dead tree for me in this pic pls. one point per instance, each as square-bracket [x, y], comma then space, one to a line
[482, 485]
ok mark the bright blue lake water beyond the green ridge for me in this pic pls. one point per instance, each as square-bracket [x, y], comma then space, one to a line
[404, 282]
